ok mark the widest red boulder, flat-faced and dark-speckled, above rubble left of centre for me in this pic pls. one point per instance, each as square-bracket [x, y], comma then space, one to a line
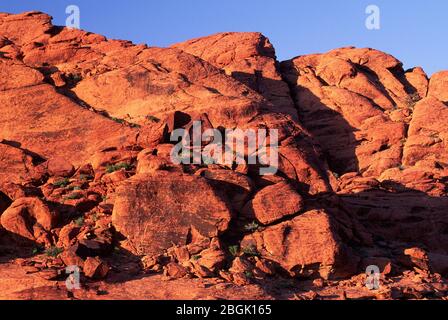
[156, 211]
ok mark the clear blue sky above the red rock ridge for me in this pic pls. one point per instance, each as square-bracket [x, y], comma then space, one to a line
[413, 31]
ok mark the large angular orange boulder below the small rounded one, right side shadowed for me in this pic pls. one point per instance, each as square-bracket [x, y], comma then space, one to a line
[306, 244]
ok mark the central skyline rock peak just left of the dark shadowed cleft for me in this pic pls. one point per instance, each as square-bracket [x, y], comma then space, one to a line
[248, 57]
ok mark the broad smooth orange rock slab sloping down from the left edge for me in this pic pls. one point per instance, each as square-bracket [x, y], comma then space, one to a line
[37, 118]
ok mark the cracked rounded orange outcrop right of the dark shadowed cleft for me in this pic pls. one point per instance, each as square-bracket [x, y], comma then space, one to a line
[355, 104]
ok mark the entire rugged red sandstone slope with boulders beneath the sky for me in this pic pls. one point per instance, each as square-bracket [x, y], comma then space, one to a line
[86, 177]
